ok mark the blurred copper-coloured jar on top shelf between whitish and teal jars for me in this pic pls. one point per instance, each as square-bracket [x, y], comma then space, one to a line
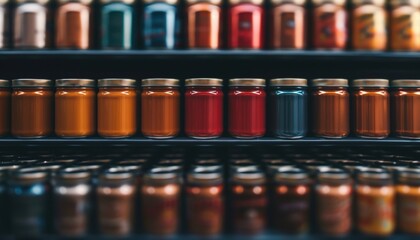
[73, 24]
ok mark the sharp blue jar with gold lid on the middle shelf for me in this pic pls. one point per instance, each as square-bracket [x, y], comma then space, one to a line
[288, 107]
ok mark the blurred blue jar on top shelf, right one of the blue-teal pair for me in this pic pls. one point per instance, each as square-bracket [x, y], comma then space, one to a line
[160, 24]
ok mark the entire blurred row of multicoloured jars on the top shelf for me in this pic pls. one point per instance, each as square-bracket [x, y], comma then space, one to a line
[288, 21]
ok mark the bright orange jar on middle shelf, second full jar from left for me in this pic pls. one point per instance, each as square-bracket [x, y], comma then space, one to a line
[75, 106]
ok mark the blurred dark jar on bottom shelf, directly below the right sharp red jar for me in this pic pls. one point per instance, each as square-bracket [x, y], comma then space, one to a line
[249, 202]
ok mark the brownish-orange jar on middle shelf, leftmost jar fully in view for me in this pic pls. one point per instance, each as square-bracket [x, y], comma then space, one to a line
[32, 101]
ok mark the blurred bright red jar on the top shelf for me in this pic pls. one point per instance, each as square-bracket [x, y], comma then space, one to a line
[246, 23]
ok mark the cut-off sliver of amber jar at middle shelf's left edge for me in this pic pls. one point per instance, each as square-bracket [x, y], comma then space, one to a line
[4, 107]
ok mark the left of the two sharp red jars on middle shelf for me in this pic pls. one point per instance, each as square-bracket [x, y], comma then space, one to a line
[204, 107]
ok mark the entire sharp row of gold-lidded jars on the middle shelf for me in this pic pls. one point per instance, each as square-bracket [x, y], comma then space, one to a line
[112, 111]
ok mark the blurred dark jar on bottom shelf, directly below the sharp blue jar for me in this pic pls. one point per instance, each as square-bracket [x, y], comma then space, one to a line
[290, 198]
